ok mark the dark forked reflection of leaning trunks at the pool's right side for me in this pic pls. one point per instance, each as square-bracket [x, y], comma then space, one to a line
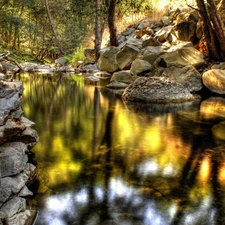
[199, 151]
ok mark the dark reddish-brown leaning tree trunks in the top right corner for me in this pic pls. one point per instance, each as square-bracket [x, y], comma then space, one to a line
[213, 30]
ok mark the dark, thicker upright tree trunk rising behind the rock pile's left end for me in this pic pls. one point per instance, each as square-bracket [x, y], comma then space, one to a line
[111, 23]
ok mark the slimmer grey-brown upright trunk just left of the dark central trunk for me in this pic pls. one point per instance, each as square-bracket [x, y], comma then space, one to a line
[98, 33]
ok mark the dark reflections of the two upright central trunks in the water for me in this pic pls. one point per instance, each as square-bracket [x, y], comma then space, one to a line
[101, 207]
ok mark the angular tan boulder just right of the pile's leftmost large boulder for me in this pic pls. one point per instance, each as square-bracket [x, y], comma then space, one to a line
[125, 56]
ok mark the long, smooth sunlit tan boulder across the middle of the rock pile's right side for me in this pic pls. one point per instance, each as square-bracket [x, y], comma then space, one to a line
[180, 58]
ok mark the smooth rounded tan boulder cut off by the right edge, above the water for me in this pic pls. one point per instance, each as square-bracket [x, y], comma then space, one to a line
[214, 80]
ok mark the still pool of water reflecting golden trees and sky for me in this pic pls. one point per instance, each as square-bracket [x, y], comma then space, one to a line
[101, 161]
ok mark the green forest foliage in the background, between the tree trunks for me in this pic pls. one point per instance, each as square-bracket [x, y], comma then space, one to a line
[25, 26]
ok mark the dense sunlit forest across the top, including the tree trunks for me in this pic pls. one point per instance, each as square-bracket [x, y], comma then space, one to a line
[47, 29]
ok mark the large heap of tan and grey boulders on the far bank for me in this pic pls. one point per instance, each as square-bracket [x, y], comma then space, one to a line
[163, 56]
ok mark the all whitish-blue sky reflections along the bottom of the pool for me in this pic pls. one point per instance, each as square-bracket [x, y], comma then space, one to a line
[122, 200]
